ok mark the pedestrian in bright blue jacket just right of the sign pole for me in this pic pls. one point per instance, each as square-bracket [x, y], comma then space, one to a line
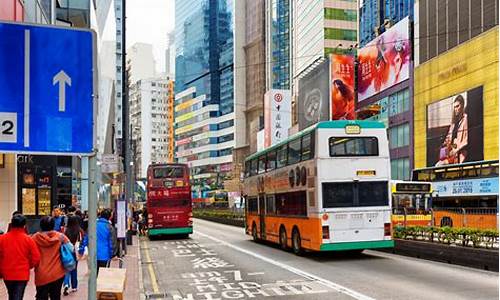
[106, 239]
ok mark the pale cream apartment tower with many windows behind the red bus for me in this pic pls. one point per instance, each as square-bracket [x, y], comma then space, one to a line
[149, 122]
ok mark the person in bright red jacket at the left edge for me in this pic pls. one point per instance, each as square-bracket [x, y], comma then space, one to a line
[18, 254]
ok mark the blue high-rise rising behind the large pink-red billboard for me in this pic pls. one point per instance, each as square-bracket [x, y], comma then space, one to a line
[375, 16]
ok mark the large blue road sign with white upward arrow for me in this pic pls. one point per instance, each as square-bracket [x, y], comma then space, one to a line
[46, 89]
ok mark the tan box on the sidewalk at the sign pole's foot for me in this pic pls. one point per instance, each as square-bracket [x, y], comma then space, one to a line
[111, 283]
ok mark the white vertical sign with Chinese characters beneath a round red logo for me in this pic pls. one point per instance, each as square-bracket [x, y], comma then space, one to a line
[277, 116]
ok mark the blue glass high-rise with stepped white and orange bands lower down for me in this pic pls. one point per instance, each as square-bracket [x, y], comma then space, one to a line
[204, 98]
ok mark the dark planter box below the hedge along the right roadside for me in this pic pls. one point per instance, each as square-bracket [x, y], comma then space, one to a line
[485, 259]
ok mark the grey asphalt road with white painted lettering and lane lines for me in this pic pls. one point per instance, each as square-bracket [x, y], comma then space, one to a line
[221, 262]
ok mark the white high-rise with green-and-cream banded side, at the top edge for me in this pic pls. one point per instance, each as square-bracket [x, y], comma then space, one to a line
[321, 27]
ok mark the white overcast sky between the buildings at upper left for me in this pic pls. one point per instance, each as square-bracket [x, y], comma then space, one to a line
[148, 21]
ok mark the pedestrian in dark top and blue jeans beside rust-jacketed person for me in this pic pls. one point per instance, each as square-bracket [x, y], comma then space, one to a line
[74, 233]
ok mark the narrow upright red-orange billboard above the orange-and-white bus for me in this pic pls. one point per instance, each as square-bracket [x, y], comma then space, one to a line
[342, 87]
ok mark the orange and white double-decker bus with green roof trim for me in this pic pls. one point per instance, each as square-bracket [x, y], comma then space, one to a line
[326, 188]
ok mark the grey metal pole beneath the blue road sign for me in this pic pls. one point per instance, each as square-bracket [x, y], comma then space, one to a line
[92, 228]
